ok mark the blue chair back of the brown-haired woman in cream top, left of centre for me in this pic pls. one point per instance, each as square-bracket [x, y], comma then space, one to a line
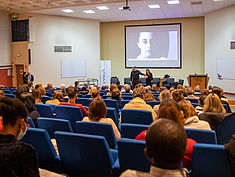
[97, 128]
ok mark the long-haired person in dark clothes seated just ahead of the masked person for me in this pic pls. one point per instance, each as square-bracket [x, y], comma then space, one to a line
[29, 102]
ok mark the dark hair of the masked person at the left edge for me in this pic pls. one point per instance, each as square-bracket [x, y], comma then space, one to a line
[11, 110]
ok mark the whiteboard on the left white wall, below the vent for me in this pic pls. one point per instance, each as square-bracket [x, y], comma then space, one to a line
[73, 68]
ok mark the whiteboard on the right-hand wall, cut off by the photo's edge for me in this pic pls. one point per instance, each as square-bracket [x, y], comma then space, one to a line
[226, 68]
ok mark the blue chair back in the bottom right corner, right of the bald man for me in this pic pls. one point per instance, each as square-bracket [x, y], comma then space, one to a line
[210, 160]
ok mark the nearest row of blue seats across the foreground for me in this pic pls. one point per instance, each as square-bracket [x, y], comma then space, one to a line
[90, 155]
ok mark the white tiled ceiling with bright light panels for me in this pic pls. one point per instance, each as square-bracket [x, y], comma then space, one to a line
[139, 8]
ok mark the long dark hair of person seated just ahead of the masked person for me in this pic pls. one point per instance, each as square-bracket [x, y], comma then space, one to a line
[28, 100]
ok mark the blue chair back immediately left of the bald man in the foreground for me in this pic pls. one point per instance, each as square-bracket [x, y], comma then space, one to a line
[131, 155]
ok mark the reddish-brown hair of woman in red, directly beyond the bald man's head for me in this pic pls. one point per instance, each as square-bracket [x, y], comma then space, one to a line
[170, 109]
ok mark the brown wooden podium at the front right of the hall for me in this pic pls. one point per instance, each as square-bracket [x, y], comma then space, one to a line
[201, 80]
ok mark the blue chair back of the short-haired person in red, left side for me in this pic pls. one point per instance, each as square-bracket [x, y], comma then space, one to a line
[70, 113]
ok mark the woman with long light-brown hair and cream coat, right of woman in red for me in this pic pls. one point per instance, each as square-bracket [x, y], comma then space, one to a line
[191, 119]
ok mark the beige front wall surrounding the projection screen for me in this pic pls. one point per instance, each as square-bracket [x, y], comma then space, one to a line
[113, 47]
